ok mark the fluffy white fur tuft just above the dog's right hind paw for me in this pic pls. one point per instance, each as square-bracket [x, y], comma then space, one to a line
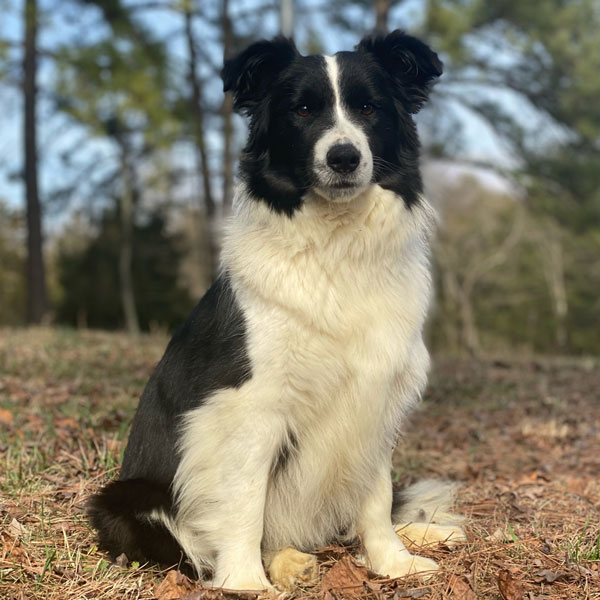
[427, 501]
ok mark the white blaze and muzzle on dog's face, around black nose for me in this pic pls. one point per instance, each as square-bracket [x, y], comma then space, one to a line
[344, 131]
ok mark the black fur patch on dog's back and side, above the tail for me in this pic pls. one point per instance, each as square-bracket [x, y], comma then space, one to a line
[207, 353]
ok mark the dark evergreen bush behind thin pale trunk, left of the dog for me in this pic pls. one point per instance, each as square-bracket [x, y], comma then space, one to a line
[89, 278]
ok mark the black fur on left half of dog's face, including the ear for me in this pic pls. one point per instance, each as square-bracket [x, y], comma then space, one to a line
[269, 81]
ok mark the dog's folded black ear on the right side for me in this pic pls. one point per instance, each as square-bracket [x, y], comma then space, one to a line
[412, 64]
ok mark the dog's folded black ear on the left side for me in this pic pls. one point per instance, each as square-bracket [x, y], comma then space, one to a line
[249, 74]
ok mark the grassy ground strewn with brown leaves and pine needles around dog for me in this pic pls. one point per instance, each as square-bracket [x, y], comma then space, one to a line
[522, 437]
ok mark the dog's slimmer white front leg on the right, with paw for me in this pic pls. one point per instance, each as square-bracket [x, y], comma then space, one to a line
[386, 554]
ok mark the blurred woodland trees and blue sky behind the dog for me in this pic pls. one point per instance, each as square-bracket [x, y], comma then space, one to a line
[136, 145]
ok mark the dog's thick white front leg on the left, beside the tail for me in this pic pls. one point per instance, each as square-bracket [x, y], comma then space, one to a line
[222, 486]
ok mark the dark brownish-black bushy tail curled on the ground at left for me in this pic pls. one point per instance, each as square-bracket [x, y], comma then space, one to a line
[119, 513]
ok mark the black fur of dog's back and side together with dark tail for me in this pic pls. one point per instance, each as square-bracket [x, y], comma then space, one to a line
[206, 354]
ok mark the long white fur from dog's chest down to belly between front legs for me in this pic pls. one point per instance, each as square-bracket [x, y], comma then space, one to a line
[334, 301]
